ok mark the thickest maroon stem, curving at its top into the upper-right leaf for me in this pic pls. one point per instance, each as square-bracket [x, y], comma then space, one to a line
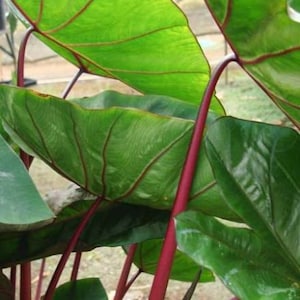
[163, 270]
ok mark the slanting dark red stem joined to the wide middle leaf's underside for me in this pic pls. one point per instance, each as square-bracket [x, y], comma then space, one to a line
[70, 247]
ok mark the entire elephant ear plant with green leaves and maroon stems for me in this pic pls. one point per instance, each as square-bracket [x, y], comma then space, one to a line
[144, 182]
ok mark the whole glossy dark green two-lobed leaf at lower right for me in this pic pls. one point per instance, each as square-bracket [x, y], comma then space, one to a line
[258, 171]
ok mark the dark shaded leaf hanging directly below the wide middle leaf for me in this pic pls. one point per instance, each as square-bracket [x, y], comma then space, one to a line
[112, 225]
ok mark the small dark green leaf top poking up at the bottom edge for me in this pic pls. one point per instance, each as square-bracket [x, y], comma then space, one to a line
[83, 289]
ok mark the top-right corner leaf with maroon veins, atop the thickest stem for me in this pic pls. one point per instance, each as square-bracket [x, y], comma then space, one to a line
[267, 44]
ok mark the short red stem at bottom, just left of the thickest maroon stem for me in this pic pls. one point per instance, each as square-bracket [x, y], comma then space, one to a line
[121, 288]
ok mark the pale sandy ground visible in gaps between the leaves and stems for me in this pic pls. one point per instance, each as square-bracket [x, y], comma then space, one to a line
[52, 74]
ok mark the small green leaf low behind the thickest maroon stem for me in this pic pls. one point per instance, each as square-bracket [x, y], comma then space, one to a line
[183, 268]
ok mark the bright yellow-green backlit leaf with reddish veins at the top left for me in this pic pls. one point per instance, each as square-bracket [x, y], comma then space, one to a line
[146, 44]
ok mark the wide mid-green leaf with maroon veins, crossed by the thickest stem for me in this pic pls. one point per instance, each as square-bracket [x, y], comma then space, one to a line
[125, 154]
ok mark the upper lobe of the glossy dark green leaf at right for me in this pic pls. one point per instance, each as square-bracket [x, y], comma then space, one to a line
[258, 171]
